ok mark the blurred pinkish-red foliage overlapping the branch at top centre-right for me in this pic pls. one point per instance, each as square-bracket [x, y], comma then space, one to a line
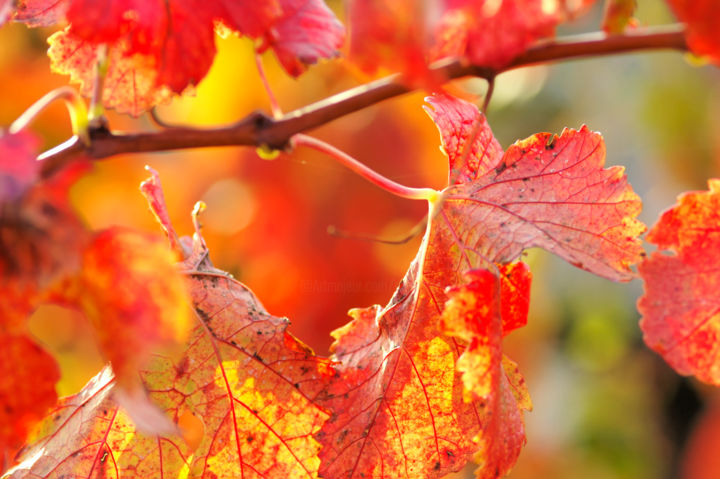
[486, 33]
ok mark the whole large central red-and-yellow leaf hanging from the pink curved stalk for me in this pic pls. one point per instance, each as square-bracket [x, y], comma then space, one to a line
[396, 407]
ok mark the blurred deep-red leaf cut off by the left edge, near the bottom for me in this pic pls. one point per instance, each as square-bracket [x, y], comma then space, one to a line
[27, 388]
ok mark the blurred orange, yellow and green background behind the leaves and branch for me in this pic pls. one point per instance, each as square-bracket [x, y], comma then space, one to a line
[605, 406]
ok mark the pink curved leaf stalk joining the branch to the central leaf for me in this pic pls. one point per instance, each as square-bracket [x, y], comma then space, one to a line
[366, 172]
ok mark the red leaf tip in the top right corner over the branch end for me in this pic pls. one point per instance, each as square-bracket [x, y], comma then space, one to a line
[703, 26]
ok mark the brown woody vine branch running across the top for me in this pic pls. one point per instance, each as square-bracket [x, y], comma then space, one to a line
[259, 129]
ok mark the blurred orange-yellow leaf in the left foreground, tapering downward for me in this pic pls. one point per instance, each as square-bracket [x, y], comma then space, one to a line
[137, 299]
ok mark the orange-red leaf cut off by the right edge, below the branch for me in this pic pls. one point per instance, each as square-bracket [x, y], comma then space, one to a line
[681, 307]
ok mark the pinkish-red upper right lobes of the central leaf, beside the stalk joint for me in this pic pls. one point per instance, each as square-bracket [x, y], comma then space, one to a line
[545, 191]
